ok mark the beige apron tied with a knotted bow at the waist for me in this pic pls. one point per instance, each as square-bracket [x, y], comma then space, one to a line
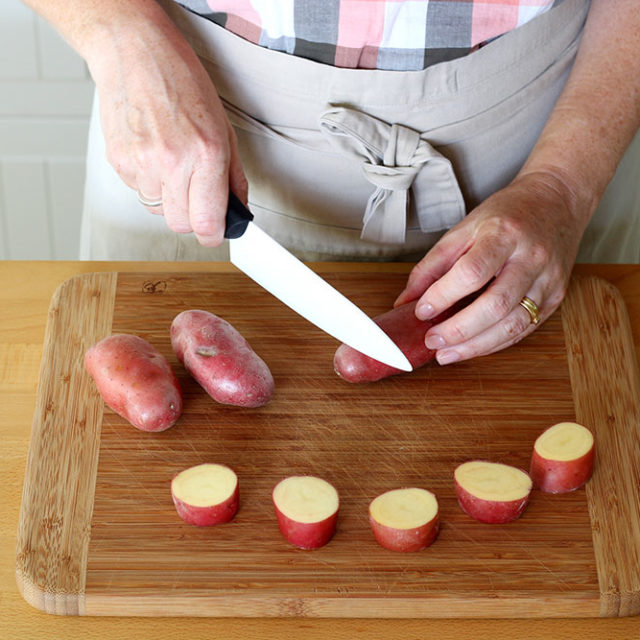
[348, 164]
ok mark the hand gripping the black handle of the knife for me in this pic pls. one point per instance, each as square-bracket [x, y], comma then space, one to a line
[166, 132]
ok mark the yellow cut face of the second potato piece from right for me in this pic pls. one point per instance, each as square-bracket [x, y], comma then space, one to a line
[493, 481]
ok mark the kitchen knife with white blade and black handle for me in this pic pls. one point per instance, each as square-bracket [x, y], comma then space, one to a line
[278, 271]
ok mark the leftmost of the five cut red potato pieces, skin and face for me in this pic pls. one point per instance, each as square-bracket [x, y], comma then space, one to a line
[206, 494]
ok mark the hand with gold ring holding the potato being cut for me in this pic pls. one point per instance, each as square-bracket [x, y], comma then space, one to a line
[521, 241]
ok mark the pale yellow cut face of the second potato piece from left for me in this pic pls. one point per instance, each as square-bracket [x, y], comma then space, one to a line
[306, 499]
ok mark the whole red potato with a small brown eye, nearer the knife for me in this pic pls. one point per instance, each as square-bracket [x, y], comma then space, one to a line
[220, 359]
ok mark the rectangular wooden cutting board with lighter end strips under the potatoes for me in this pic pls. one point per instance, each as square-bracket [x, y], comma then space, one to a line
[98, 532]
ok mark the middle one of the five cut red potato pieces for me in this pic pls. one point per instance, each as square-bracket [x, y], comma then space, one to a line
[405, 519]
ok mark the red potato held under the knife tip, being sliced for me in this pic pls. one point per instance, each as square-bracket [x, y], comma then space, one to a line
[402, 326]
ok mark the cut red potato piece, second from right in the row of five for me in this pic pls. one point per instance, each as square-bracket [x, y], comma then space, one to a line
[491, 492]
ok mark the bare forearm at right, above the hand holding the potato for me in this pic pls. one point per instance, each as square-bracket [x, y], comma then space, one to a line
[598, 112]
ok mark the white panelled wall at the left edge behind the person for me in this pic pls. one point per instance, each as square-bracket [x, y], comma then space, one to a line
[45, 100]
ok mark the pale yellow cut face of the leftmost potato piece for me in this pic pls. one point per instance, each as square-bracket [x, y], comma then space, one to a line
[204, 485]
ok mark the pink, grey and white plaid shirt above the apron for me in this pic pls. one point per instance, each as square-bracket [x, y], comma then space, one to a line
[400, 35]
